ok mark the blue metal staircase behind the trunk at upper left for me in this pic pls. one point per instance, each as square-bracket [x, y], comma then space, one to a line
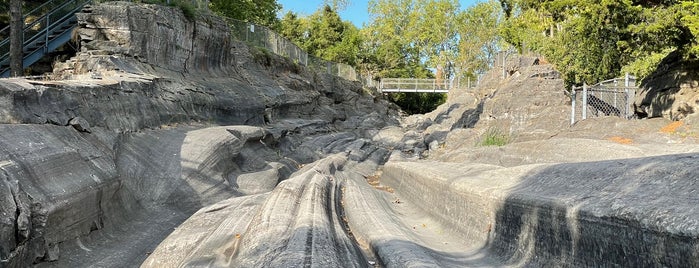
[47, 28]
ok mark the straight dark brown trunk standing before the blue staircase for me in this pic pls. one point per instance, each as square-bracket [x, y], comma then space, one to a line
[16, 38]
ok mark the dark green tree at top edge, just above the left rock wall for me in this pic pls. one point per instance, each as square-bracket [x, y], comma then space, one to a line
[262, 12]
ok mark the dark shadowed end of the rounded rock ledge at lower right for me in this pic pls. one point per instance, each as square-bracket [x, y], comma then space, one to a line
[633, 213]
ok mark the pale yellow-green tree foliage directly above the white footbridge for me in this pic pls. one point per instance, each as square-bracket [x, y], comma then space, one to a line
[406, 36]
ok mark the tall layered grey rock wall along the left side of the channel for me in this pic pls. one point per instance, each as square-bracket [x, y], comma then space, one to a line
[142, 94]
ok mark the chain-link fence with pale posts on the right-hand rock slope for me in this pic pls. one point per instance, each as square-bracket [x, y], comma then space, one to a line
[612, 97]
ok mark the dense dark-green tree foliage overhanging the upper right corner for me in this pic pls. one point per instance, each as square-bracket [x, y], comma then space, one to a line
[589, 41]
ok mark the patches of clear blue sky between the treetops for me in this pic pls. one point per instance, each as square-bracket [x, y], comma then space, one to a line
[356, 11]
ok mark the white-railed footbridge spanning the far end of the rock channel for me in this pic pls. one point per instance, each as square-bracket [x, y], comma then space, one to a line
[414, 85]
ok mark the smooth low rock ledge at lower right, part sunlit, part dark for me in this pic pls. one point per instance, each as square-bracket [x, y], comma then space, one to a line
[631, 213]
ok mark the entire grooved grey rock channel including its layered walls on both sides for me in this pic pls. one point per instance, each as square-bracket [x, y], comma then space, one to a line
[170, 145]
